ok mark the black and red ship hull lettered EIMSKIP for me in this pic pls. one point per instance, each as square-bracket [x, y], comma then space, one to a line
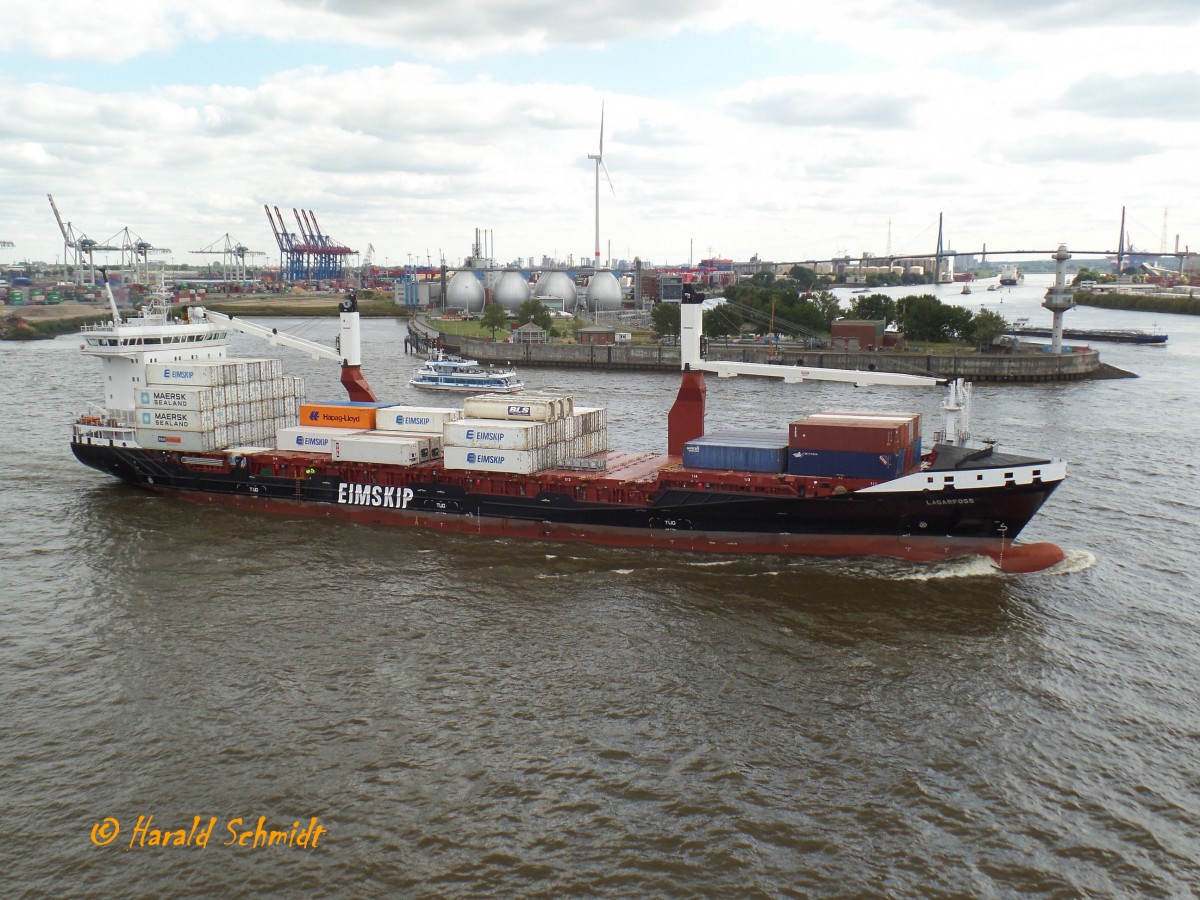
[913, 525]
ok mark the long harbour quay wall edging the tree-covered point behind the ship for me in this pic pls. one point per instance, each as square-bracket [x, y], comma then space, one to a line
[1001, 368]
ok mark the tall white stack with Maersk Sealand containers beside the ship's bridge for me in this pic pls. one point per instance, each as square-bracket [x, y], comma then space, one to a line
[201, 406]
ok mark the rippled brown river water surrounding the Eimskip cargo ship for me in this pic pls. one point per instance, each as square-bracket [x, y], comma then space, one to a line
[471, 717]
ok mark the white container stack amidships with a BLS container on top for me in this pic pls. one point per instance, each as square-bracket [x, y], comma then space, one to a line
[524, 436]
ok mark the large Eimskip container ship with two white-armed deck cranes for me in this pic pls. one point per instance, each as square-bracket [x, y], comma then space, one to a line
[184, 419]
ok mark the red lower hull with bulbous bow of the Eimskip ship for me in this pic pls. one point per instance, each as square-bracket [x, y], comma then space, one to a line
[1009, 557]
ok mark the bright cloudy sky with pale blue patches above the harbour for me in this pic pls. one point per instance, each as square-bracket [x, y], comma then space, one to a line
[789, 130]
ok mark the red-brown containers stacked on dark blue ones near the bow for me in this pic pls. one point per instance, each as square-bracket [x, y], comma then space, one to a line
[854, 446]
